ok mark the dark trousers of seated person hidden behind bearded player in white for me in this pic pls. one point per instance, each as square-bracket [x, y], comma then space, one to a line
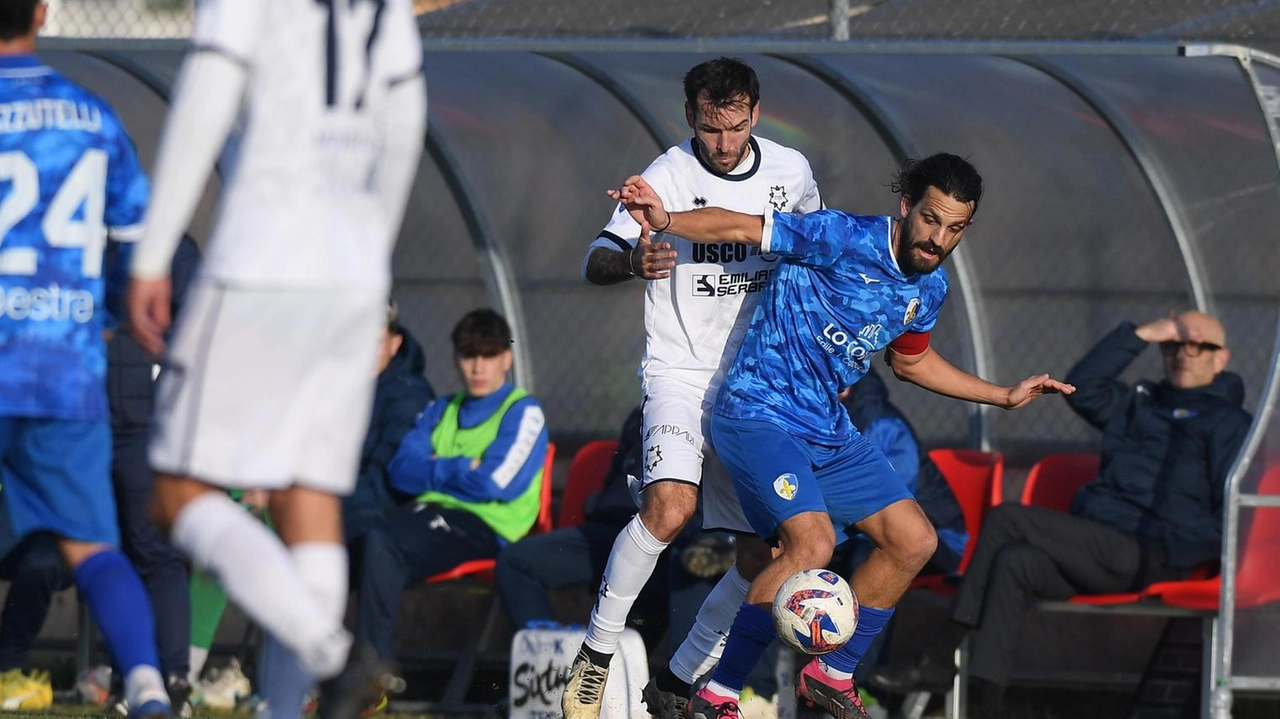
[577, 556]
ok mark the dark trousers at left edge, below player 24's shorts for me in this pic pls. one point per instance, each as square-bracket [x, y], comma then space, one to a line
[36, 570]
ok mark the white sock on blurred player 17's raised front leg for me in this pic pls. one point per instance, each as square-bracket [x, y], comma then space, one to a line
[260, 576]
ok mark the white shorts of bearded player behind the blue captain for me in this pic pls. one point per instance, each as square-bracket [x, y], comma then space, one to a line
[678, 424]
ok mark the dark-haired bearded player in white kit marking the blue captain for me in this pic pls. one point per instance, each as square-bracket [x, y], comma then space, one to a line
[698, 303]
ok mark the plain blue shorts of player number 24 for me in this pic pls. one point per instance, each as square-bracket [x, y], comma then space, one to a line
[58, 478]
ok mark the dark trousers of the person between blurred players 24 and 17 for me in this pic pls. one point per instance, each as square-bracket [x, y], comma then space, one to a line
[157, 561]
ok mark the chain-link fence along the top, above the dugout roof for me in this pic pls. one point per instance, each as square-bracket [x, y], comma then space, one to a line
[1252, 22]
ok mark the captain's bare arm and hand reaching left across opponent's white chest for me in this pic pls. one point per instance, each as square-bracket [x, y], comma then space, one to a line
[708, 225]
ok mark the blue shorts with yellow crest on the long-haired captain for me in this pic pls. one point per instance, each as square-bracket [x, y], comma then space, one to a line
[779, 477]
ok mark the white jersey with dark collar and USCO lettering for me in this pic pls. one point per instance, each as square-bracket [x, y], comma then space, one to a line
[696, 319]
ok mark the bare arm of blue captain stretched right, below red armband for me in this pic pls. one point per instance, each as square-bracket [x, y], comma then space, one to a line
[934, 373]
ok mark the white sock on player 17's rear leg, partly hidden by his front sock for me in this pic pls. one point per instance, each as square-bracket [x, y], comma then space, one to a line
[323, 567]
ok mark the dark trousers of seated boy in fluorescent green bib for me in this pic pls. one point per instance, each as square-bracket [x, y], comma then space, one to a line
[419, 541]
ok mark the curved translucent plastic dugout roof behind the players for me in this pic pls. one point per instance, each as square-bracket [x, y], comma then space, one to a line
[1118, 187]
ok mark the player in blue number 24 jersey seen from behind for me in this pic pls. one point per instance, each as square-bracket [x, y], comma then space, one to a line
[68, 177]
